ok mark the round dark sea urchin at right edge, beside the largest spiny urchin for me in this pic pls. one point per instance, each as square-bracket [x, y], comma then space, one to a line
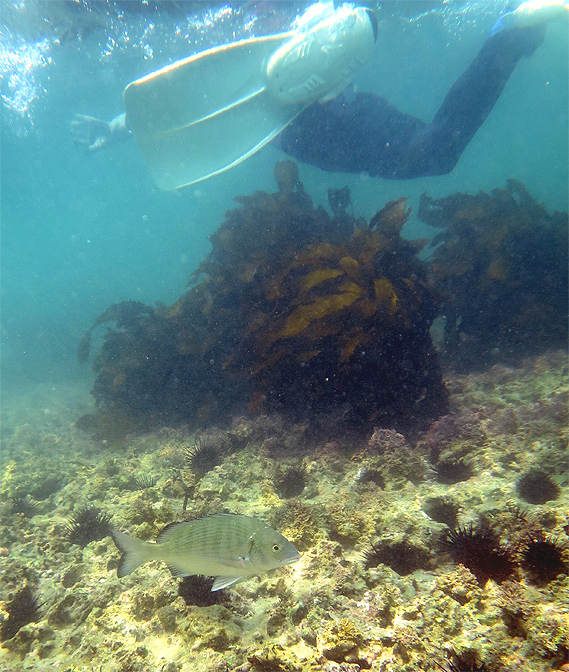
[543, 558]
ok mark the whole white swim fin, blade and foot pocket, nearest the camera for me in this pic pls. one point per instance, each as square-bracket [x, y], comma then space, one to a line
[207, 113]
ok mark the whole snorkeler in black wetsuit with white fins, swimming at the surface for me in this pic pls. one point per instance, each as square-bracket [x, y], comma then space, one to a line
[309, 119]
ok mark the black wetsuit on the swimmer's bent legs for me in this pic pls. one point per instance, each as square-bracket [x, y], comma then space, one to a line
[371, 135]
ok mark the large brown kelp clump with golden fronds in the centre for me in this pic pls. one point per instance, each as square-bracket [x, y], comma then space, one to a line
[293, 311]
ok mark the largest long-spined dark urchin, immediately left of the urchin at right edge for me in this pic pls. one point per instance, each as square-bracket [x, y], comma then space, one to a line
[481, 551]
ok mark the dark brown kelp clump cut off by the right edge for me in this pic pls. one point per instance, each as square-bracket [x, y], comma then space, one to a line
[501, 269]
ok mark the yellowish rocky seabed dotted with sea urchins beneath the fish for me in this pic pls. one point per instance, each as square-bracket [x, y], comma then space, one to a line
[376, 587]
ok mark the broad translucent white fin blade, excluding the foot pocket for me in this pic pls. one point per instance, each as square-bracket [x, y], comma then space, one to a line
[205, 114]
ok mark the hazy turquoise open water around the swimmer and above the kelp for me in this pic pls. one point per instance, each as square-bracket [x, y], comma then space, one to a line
[82, 231]
